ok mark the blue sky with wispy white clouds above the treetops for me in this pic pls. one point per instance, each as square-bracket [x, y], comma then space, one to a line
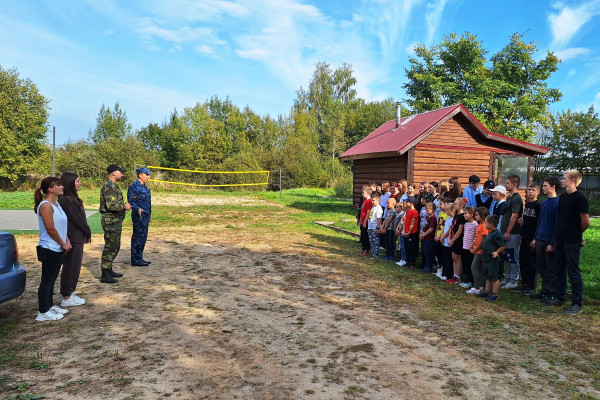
[153, 56]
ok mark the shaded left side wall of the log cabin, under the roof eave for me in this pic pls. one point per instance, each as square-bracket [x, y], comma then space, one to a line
[380, 169]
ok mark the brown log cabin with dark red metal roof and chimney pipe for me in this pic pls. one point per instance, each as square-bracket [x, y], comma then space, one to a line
[436, 145]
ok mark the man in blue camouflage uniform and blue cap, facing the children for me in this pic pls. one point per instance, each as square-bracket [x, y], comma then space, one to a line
[138, 196]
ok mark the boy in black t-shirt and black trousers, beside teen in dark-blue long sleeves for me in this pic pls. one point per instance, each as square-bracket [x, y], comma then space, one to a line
[528, 223]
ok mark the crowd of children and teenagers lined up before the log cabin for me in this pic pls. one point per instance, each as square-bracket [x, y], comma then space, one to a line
[471, 237]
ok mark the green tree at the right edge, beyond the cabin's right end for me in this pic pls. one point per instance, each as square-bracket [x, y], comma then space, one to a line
[574, 142]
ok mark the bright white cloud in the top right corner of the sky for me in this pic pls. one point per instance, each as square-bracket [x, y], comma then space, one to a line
[568, 21]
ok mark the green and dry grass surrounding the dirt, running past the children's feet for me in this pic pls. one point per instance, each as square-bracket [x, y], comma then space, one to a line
[551, 348]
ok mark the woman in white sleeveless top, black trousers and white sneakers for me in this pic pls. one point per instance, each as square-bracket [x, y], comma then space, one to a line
[53, 243]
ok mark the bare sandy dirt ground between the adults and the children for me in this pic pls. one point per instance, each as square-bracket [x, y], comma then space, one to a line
[220, 314]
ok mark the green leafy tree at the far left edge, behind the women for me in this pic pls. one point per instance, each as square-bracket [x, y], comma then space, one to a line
[23, 124]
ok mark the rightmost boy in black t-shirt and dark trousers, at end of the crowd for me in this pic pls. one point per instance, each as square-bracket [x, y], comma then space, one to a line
[573, 219]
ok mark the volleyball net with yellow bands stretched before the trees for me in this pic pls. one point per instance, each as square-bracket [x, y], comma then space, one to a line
[188, 177]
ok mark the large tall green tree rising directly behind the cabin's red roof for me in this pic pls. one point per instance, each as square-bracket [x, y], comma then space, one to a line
[508, 94]
